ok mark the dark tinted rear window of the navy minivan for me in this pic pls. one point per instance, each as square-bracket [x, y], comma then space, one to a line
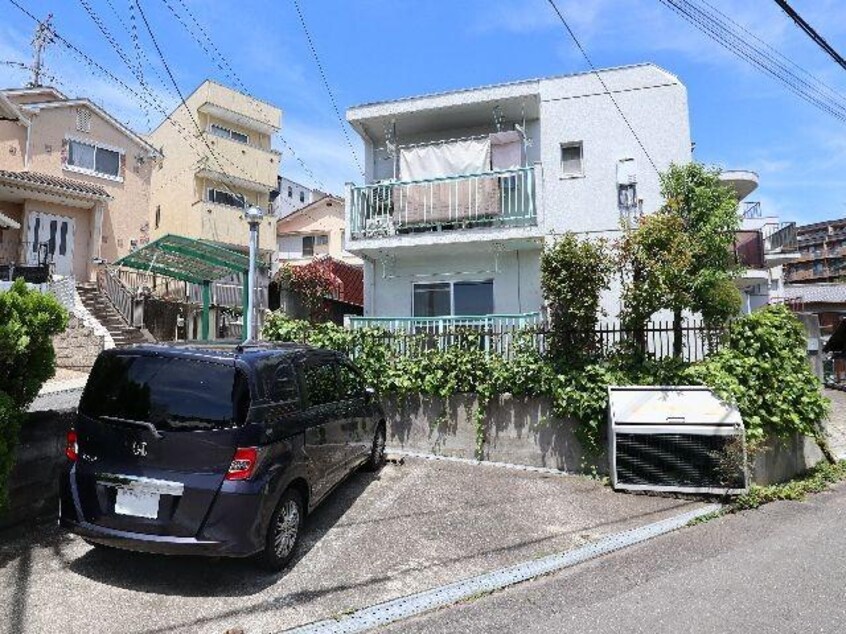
[172, 394]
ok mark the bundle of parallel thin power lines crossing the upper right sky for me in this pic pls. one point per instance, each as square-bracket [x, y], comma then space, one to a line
[722, 32]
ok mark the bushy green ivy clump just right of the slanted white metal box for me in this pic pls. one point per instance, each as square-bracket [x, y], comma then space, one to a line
[764, 370]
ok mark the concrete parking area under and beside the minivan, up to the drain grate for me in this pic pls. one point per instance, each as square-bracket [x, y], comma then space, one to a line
[411, 527]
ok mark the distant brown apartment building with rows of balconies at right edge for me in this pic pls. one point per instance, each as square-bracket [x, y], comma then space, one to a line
[822, 253]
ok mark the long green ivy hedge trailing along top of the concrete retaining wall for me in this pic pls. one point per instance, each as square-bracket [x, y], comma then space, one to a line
[762, 368]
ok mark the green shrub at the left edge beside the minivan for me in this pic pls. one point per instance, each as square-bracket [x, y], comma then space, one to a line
[28, 320]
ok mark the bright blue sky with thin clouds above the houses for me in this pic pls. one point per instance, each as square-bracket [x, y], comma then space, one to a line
[383, 49]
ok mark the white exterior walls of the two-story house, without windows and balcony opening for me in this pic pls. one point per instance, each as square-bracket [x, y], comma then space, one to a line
[570, 109]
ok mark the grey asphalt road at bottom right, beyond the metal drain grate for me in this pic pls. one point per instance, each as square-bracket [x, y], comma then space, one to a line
[781, 568]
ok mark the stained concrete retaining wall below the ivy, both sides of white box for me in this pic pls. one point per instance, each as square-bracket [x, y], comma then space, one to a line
[524, 431]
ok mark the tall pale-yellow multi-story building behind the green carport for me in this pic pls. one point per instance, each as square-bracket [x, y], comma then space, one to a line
[206, 181]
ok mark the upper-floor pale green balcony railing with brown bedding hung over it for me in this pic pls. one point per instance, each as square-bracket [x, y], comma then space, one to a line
[503, 198]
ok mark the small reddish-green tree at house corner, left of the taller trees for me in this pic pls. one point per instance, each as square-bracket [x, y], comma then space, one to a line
[574, 273]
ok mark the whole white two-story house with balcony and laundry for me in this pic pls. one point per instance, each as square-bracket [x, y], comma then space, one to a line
[464, 188]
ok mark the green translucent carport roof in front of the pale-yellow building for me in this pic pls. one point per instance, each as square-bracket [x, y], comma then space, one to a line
[186, 259]
